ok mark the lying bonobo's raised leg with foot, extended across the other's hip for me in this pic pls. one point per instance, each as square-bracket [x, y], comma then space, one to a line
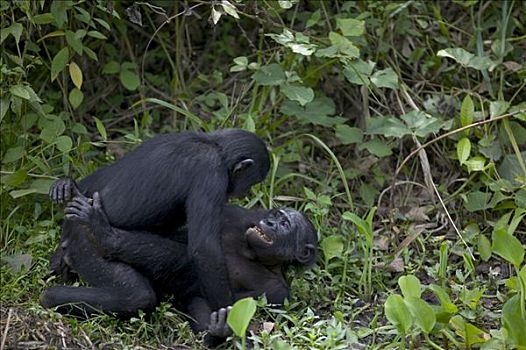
[156, 256]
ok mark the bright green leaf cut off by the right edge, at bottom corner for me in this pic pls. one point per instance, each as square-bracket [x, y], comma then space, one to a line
[513, 322]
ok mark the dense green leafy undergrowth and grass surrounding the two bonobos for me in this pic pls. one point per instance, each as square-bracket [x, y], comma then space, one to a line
[398, 127]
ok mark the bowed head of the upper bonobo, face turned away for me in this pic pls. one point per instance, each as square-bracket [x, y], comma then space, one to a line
[246, 157]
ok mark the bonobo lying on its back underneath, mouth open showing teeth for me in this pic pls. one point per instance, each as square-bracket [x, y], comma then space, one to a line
[130, 270]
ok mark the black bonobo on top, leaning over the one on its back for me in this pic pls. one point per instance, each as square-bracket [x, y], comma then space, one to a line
[175, 180]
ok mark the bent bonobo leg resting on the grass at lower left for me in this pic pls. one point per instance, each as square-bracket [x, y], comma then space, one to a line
[114, 287]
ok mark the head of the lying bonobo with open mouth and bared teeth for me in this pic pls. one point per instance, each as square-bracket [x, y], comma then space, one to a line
[283, 236]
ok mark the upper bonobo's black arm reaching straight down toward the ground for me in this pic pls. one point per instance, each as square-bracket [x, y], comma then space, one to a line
[204, 217]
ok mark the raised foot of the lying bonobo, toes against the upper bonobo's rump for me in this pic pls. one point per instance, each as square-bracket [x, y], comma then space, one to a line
[91, 214]
